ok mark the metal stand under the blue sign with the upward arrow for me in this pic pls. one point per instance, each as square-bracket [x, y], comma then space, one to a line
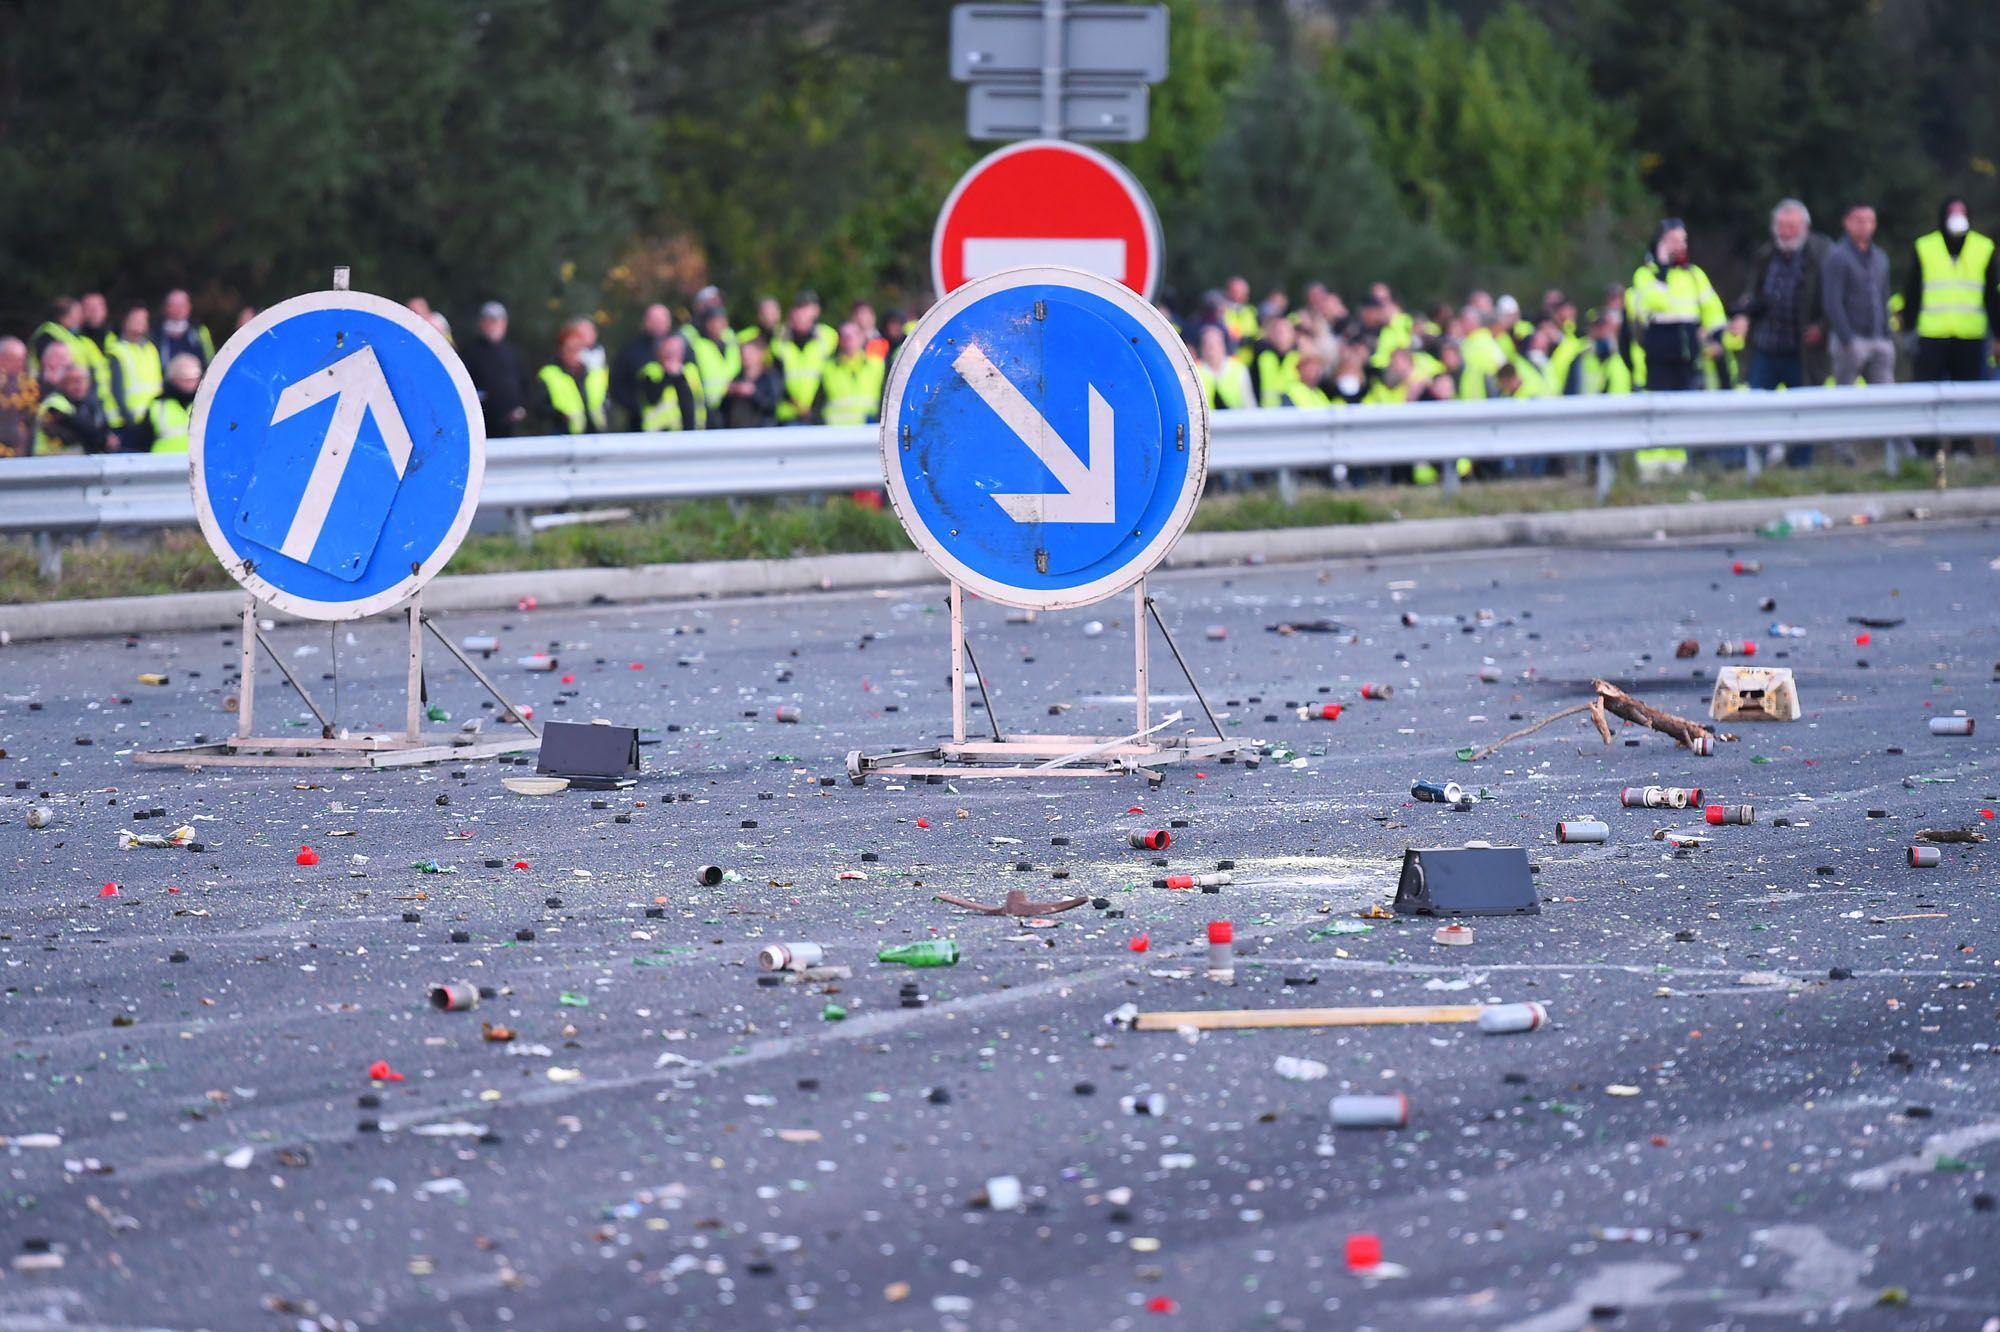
[335, 751]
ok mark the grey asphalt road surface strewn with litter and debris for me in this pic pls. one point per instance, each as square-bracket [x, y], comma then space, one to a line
[1769, 1093]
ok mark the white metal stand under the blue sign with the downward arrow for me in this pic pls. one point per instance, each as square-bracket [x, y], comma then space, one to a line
[1065, 757]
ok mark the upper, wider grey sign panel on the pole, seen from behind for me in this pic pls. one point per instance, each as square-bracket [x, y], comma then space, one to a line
[1121, 43]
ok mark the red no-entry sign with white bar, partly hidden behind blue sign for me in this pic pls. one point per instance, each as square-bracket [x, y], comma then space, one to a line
[1047, 203]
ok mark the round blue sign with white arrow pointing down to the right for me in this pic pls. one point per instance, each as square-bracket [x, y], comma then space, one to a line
[1045, 437]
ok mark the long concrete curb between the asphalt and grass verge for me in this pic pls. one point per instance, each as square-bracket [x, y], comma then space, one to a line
[715, 579]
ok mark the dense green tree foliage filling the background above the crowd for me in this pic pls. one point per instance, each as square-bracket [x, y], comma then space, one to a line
[587, 157]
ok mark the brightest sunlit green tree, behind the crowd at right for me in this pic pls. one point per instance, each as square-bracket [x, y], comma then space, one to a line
[1495, 139]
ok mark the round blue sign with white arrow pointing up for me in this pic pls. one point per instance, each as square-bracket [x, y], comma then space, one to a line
[337, 455]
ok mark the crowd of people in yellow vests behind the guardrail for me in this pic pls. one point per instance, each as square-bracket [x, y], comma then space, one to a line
[1815, 311]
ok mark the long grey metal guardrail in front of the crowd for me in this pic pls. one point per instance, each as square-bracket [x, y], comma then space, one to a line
[151, 491]
